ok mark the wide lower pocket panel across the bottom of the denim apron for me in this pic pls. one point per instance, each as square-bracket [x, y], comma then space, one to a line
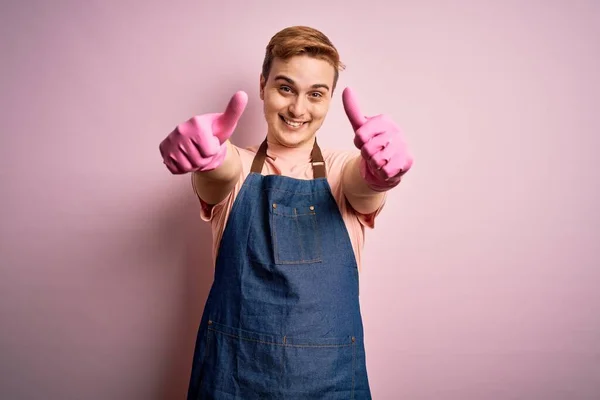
[256, 365]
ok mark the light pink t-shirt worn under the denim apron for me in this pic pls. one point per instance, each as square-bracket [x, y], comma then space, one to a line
[294, 163]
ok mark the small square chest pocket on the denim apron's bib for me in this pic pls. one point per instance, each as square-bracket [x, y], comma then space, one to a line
[295, 234]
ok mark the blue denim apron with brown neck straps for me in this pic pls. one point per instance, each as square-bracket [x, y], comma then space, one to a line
[282, 319]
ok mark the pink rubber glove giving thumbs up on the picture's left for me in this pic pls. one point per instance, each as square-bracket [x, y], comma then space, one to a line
[199, 143]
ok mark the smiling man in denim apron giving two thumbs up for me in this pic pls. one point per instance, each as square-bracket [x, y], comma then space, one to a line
[282, 320]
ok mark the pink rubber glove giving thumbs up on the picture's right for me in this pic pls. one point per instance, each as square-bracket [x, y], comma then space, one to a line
[385, 156]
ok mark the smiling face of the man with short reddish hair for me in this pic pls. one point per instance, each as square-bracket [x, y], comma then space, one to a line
[296, 99]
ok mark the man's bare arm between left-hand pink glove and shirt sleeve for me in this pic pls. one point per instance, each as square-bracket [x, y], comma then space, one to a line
[214, 185]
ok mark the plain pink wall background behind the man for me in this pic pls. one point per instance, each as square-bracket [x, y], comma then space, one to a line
[481, 279]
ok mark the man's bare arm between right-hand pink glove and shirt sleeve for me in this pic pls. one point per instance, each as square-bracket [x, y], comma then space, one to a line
[360, 196]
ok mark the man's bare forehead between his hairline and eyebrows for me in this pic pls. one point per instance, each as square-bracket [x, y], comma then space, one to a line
[304, 70]
